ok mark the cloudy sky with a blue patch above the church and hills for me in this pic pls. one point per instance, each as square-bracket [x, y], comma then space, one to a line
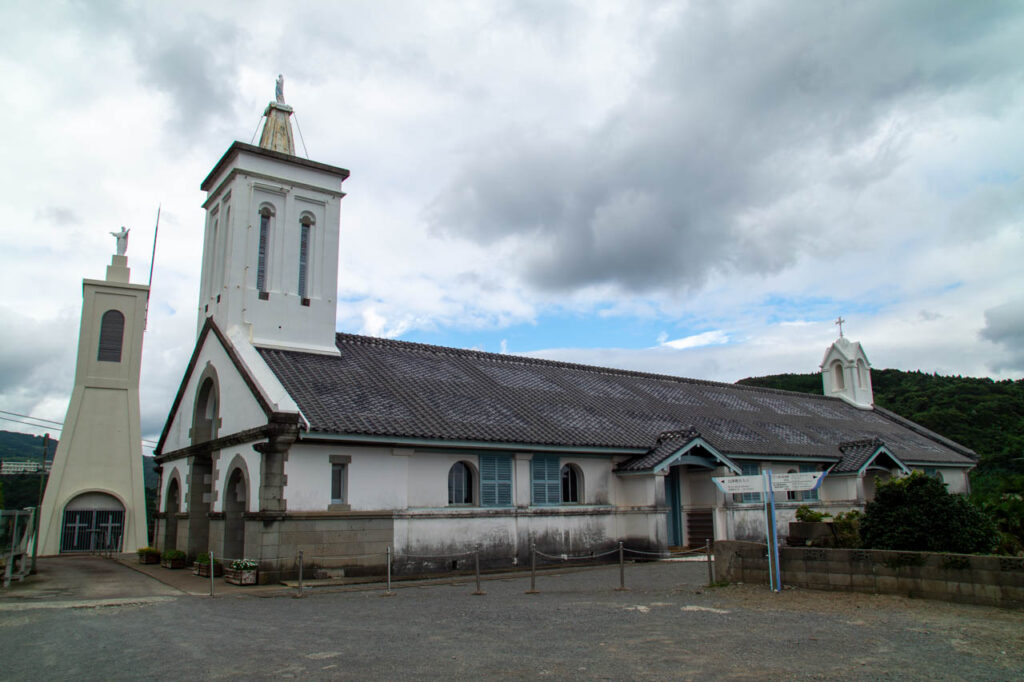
[697, 189]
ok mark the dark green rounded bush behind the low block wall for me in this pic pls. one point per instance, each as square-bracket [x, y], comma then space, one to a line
[918, 514]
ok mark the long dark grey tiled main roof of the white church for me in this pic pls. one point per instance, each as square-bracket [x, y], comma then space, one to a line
[391, 389]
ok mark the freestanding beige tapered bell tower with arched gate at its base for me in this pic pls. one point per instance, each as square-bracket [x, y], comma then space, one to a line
[96, 496]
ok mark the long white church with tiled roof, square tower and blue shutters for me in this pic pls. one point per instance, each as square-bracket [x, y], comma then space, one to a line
[286, 436]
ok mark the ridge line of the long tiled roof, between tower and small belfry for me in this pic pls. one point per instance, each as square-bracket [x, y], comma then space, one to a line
[346, 337]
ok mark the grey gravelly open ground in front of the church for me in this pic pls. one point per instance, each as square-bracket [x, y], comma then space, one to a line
[666, 626]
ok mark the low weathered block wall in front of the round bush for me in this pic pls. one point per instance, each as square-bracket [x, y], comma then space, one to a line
[994, 581]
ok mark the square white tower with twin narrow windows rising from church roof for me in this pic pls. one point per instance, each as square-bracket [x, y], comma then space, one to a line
[271, 250]
